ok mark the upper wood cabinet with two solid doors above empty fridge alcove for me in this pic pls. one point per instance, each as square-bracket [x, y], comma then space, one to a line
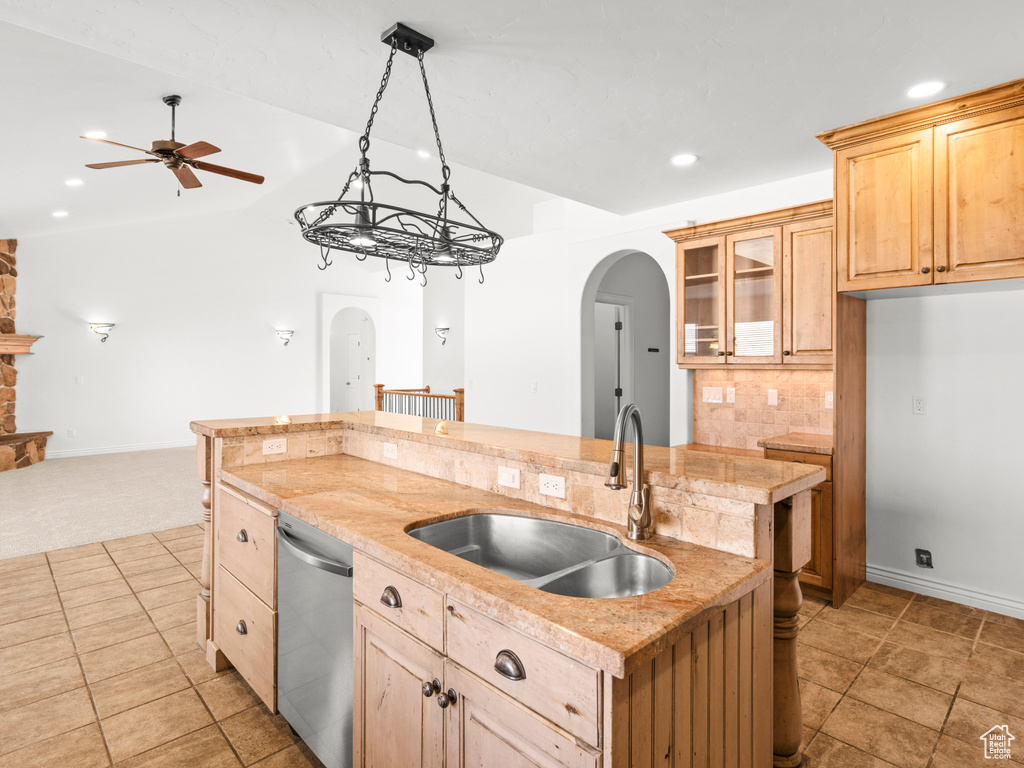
[932, 195]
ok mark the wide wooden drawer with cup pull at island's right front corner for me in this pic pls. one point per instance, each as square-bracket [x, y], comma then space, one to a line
[564, 691]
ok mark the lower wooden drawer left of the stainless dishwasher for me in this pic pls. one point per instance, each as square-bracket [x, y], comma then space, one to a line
[244, 630]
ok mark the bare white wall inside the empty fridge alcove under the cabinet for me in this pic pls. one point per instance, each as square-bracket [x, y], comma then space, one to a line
[950, 481]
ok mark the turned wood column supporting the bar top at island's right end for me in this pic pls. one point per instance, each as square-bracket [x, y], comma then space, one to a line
[792, 552]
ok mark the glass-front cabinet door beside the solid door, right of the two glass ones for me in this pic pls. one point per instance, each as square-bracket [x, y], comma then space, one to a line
[754, 297]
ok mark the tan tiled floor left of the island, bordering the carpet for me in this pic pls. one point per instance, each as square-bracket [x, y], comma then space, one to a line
[100, 667]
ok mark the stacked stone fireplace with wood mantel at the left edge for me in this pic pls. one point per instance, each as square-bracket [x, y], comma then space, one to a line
[29, 448]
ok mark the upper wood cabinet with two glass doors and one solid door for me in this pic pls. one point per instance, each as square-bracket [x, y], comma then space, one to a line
[756, 290]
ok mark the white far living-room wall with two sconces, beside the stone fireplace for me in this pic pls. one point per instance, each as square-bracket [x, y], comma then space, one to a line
[196, 305]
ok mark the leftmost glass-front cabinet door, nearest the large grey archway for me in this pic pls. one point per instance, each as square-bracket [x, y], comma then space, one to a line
[701, 275]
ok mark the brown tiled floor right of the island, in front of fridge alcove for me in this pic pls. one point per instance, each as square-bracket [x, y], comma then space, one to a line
[895, 678]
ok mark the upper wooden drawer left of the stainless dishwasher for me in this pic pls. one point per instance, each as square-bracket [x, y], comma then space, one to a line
[246, 545]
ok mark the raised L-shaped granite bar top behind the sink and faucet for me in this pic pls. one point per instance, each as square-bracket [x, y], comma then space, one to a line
[728, 477]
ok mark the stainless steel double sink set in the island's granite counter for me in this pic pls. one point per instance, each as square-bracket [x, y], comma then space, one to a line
[554, 558]
